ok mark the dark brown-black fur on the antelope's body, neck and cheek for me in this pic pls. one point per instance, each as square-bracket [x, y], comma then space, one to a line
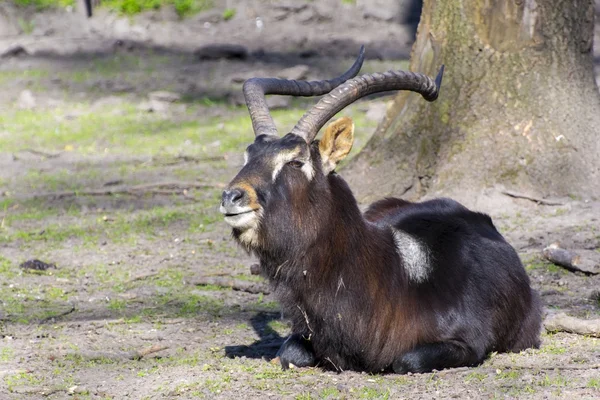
[342, 283]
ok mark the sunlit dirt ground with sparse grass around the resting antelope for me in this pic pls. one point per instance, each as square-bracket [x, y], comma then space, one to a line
[115, 143]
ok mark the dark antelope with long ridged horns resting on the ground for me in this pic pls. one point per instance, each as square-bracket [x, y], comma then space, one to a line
[403, 287]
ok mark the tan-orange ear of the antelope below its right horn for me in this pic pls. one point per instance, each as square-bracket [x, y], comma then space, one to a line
[336, 143]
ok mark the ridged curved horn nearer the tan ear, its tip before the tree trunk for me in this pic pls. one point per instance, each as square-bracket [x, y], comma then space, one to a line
[314, 119]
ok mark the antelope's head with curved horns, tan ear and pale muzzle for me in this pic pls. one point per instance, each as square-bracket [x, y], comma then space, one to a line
[283, 190]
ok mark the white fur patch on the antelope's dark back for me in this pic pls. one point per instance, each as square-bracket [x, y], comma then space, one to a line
[414, 254]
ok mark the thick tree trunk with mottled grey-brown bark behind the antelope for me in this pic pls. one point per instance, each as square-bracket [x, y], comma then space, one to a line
[519, 107]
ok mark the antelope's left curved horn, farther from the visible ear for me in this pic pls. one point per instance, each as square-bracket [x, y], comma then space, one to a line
[255, 90]
